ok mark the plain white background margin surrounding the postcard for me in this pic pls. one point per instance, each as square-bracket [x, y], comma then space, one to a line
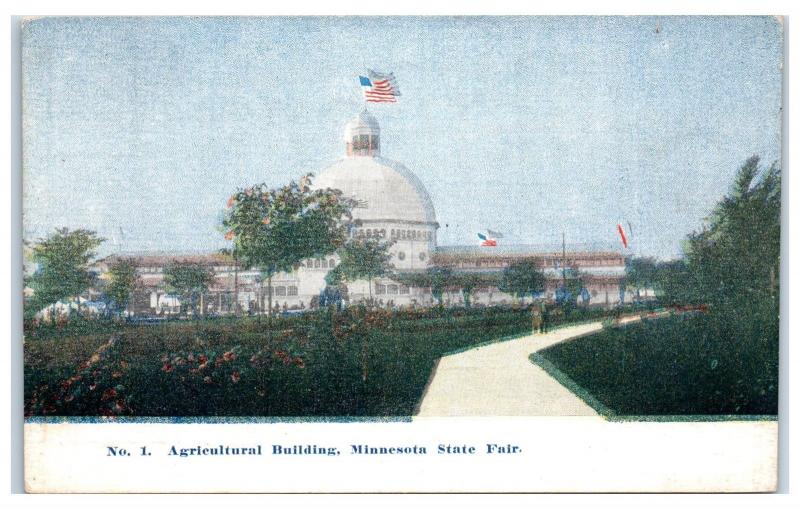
[236, 7]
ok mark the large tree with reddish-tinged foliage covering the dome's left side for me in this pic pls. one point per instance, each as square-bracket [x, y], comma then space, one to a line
[275, 229]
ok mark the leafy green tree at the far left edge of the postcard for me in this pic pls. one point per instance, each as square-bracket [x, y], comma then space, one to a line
[62, 266]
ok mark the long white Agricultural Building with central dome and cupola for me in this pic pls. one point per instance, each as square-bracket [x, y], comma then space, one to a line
[392, 204]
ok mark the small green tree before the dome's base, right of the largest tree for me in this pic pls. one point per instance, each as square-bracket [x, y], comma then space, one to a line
[362, 259]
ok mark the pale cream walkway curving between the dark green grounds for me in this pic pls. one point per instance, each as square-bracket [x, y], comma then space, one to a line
[500, 380]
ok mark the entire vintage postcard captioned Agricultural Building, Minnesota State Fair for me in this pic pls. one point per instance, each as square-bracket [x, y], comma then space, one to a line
[401, 254]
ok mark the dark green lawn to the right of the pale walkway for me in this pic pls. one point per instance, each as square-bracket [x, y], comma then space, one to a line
[682, 365]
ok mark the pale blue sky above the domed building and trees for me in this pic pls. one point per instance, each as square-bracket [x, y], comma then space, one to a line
[141, 128]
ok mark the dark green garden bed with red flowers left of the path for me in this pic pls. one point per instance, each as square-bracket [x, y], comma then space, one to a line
[357, 362]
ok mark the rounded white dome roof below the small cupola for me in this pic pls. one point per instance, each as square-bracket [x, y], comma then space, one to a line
[386, 190]
